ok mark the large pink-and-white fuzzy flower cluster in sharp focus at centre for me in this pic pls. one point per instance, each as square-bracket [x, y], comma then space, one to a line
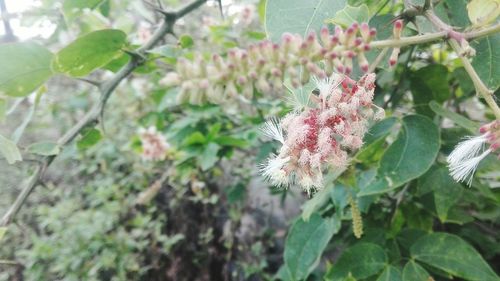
[323, 134]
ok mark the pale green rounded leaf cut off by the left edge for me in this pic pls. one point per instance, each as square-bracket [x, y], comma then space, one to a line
[25, 66]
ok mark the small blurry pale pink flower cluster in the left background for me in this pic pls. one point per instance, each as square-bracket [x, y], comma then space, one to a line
[154, 144]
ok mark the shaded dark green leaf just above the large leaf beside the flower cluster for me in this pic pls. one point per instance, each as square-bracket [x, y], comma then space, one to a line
[427, 84]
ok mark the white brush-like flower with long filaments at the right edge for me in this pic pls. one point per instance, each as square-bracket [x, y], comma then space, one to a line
[464, 159]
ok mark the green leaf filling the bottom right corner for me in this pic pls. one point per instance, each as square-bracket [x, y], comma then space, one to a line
[453, 255]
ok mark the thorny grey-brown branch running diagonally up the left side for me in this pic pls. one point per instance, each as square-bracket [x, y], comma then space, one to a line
[92, 116]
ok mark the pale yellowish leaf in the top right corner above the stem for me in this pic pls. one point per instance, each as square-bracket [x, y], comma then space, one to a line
[483, 12]
